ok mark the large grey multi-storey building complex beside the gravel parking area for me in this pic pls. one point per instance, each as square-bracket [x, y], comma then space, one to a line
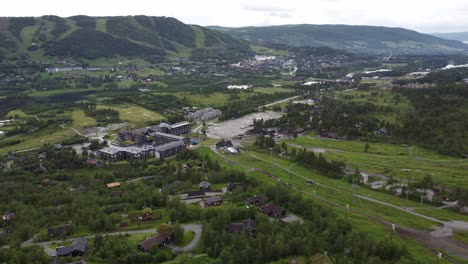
[160, 141]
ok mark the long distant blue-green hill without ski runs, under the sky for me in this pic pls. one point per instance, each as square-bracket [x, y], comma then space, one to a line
[359, 39]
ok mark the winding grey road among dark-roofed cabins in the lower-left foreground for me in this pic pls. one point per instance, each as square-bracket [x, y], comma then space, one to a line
[188, 227]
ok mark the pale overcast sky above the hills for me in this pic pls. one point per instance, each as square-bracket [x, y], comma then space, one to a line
[421, 15]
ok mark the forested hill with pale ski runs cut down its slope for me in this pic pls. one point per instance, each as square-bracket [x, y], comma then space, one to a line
[83, 37]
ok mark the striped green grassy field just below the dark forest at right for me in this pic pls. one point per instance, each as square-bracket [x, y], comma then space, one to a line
[399, 161]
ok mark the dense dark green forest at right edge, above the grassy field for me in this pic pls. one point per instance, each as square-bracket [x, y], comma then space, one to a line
[439, 119]
